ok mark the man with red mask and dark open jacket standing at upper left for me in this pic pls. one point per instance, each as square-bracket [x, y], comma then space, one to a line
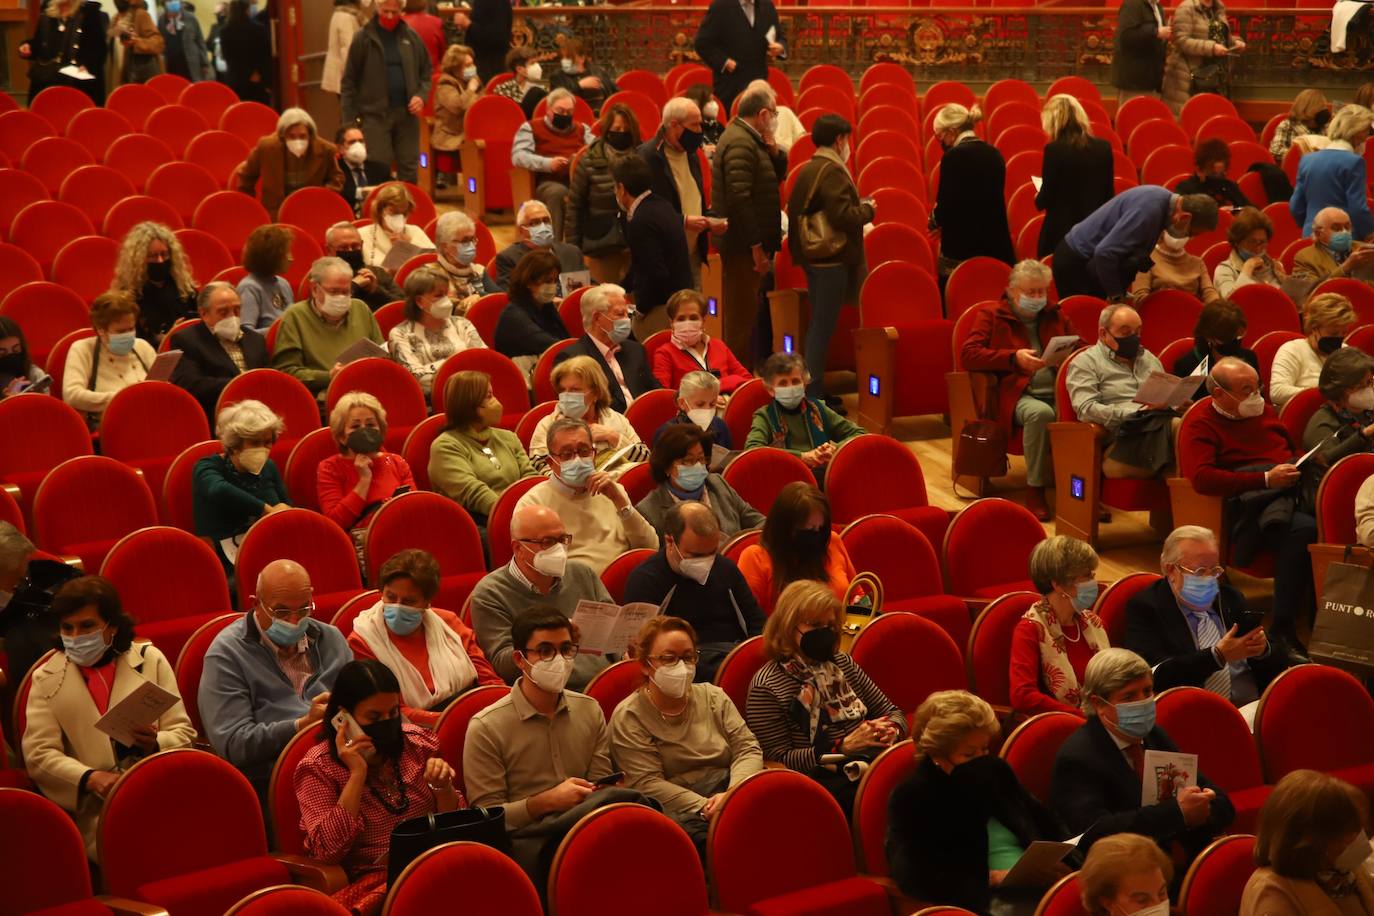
[387, 80]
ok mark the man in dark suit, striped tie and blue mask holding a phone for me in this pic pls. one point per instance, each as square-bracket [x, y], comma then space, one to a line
[1188, 626]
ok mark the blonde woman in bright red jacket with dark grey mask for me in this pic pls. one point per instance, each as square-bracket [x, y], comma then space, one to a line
[355, 483]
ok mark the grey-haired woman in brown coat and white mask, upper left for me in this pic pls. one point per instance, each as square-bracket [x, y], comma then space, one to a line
[295, 157]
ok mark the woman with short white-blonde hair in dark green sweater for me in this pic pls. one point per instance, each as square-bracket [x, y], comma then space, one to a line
[236, 488]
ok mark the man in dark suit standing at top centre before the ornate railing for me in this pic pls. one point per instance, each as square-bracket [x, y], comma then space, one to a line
[737, 41]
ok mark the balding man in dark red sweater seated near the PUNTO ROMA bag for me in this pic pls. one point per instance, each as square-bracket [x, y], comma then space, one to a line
[1225, 450]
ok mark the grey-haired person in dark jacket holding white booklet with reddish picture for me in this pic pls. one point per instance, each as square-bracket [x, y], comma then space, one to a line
[1100, 771]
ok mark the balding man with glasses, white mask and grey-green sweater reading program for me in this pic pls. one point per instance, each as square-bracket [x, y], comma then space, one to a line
[539, 573]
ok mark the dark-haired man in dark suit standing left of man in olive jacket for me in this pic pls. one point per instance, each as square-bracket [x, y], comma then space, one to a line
[659, 262]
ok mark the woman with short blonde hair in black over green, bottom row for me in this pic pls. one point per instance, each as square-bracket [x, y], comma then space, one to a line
[987, 818]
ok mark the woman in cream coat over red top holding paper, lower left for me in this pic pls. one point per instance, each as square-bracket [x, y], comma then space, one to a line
[98, 667]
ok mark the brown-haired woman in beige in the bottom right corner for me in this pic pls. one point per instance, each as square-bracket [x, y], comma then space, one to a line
[1311, 851]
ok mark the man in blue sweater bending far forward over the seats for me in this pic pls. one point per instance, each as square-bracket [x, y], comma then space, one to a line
[1103, 255]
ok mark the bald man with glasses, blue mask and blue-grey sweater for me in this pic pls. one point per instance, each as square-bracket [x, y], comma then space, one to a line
[267, 676]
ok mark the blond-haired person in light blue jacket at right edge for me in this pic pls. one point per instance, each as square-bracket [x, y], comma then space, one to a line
[1335, 176]
